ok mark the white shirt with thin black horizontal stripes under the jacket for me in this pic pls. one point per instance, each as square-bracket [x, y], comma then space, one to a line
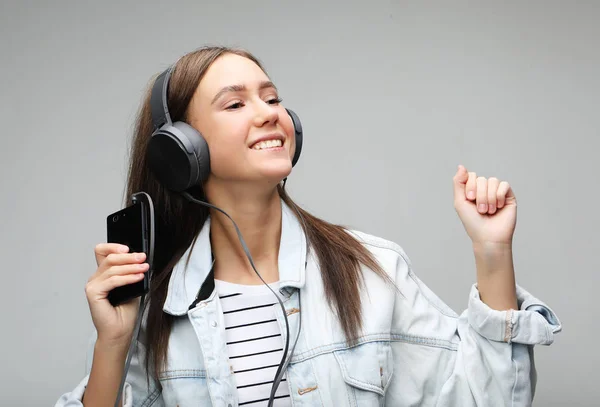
[254, 342]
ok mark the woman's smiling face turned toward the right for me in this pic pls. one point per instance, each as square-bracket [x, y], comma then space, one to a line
[237, 110]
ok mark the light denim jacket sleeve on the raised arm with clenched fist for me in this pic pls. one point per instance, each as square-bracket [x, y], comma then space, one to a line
[482, 357]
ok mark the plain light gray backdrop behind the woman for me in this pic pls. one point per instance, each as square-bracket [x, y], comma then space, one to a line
[392, 95]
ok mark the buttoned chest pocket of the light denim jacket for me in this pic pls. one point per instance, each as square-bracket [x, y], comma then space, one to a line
[367, 370]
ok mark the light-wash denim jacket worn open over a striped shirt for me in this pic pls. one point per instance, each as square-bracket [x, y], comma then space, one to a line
[413, 351]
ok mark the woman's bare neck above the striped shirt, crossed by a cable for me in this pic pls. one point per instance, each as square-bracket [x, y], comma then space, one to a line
[259, 220]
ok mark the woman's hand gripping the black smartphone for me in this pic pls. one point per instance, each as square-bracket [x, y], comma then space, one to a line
[116, 268]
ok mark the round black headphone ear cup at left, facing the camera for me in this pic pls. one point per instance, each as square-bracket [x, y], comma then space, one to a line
[178, 156]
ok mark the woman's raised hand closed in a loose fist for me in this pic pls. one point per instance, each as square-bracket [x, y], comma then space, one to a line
[487, 208]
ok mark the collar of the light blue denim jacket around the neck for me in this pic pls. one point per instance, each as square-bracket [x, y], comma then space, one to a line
[186, 280]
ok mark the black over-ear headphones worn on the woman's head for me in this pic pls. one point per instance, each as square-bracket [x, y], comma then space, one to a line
[177, 153]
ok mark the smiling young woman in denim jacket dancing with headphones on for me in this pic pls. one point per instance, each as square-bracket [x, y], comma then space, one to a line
[363, 329]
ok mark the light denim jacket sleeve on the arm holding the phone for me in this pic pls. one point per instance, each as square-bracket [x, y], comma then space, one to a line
[138, 391]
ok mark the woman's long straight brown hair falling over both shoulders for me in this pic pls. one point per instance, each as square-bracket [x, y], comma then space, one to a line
[178, 222]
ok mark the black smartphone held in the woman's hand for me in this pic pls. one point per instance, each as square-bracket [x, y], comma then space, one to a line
[129, 226]
